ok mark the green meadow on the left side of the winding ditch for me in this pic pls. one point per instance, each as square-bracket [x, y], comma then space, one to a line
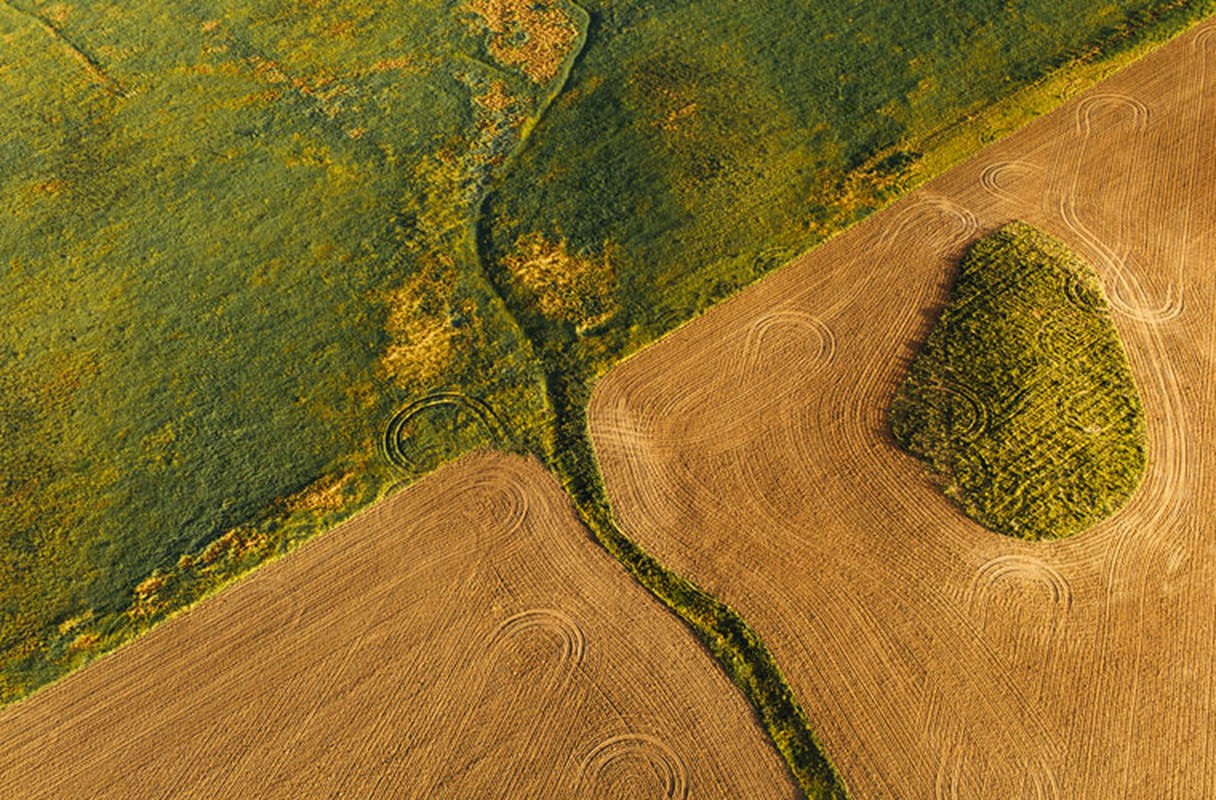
[198, 277]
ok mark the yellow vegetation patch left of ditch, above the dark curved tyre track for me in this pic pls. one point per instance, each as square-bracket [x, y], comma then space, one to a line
[420, 331]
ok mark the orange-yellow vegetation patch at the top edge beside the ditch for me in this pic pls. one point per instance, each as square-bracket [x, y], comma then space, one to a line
[533, 37]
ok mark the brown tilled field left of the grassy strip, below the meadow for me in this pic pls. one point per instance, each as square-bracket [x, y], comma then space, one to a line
[464, 639]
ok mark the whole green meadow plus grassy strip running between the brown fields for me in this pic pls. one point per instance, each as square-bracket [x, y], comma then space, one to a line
[266, 262]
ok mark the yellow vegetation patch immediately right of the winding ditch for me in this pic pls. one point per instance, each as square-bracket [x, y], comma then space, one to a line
[571, 288]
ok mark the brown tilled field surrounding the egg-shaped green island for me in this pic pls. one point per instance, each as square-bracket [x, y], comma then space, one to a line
[751, 452]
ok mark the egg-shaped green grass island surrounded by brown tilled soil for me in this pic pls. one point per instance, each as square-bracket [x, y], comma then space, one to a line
[1022, 399]
